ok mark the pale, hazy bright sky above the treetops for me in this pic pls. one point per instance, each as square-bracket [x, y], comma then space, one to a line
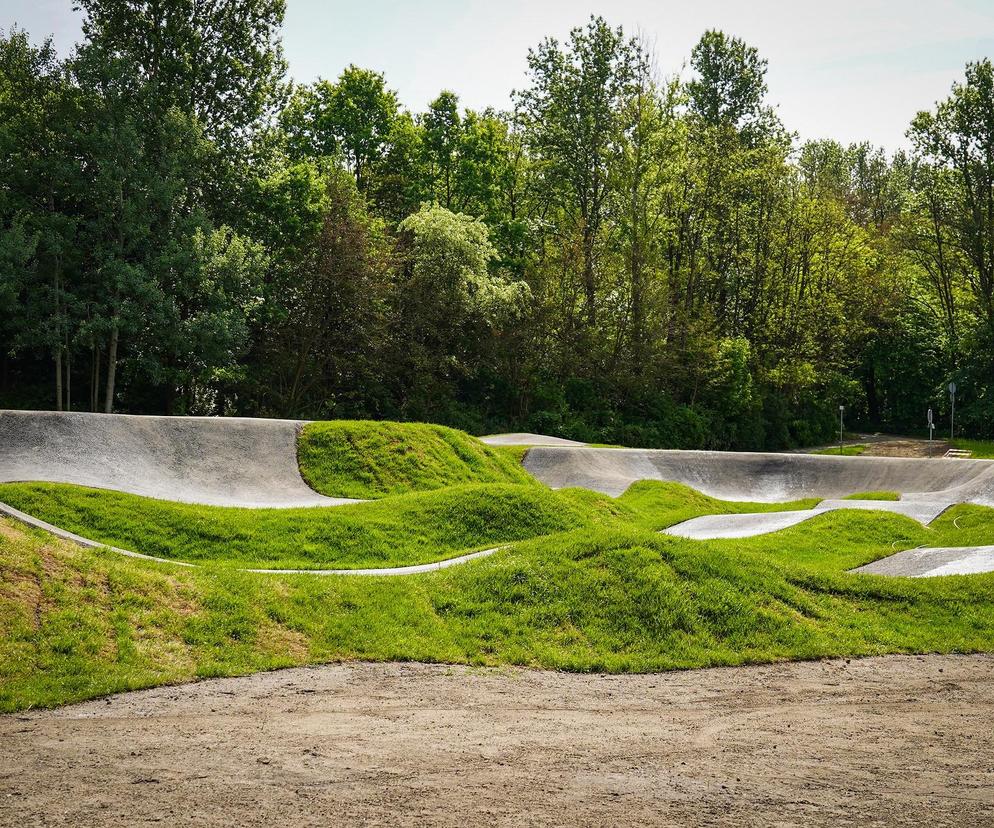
[852, 70]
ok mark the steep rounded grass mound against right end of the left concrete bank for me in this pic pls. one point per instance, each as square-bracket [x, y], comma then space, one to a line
[366, 459]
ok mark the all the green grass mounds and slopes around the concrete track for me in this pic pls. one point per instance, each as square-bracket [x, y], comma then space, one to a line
[582, 582]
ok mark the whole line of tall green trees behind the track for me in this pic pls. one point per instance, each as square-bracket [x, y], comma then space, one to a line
[622, 257]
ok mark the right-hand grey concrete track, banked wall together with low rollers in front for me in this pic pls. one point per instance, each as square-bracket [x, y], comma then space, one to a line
[927, 487]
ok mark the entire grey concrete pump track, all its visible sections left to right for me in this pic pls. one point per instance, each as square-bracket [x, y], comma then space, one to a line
[252, 463]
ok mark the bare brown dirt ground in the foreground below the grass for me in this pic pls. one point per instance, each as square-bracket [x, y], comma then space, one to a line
[884, 741]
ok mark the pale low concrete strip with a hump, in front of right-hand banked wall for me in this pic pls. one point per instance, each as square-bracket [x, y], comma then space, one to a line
[760, 523]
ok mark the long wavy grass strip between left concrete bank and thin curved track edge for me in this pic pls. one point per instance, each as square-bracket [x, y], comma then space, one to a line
[397, 531]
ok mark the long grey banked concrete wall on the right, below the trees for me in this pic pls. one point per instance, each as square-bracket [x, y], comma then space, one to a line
[763, 477]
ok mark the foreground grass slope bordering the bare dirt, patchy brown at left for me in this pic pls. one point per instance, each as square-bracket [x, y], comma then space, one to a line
[78, 623]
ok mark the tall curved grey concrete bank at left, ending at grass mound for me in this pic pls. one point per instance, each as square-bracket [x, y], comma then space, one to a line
[211, 460]
